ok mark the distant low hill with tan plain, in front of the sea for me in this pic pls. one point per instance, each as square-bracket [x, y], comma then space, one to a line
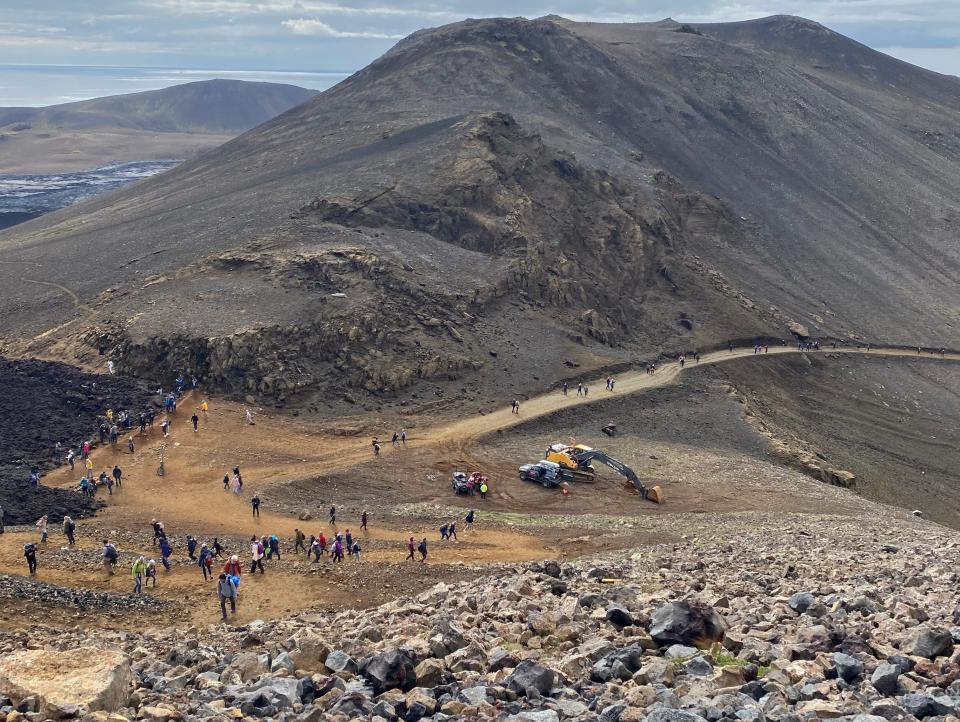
[175, 122]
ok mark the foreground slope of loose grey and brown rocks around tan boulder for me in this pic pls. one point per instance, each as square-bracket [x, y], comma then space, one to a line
[750, 618]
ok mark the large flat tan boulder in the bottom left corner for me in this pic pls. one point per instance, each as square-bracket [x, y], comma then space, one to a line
[95, 679]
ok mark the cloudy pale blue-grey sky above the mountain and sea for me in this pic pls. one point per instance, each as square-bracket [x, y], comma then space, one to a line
[347, 34]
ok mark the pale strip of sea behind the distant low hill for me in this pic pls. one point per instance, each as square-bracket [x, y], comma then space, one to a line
[39, 85]
